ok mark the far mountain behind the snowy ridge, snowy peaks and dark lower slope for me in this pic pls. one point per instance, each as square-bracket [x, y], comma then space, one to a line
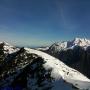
[75, 53]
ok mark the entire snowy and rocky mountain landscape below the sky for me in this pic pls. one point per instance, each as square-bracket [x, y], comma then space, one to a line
[34, 69]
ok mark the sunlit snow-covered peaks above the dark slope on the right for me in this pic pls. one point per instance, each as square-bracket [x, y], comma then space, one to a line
[82, 42]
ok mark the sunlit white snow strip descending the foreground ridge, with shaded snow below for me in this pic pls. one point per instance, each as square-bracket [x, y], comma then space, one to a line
[61, 72]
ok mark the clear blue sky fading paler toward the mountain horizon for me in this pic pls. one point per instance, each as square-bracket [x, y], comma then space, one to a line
[42, 22]
